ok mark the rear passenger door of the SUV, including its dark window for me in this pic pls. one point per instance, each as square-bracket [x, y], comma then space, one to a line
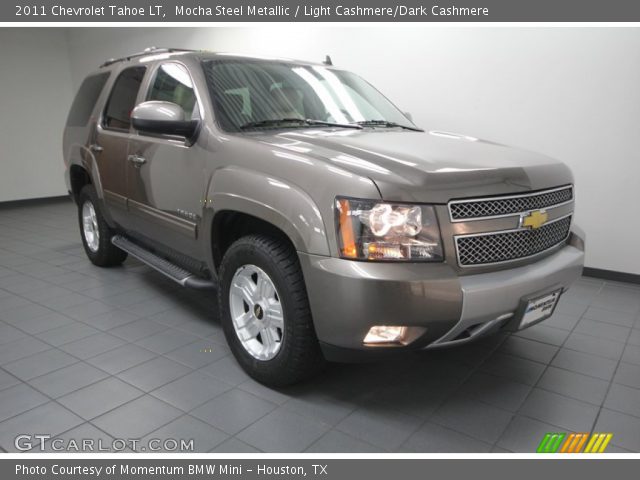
[110, 145]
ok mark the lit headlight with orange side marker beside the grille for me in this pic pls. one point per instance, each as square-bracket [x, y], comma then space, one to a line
[372, 230]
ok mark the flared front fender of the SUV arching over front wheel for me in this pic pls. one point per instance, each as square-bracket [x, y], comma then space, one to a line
[271, 199]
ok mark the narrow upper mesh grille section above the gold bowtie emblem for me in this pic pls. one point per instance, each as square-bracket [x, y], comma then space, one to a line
[497, 206]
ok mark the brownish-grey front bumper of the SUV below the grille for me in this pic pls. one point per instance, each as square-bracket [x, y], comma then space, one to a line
[438, 307]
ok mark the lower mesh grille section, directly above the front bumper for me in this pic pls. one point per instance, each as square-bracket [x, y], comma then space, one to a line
[510, 245]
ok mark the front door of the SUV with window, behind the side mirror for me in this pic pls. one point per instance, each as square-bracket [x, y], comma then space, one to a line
[166, 183]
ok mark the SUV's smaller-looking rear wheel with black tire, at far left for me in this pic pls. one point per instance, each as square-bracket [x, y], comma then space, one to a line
[98, 247]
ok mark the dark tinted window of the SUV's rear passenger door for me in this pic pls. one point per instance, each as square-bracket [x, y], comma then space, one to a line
[123, 98]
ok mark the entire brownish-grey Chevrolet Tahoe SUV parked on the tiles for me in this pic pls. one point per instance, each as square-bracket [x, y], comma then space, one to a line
[332, 226]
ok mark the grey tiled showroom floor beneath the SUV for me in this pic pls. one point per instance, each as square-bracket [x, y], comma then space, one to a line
[124, 353]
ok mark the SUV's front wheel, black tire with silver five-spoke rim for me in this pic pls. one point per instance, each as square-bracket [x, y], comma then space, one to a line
[296, 356]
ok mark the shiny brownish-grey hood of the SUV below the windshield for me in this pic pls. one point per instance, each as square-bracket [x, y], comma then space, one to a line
[432, 167]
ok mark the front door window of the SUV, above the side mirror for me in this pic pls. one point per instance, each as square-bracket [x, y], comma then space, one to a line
[173, 84]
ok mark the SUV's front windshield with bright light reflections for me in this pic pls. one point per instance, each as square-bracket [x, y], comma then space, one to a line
[257, 94]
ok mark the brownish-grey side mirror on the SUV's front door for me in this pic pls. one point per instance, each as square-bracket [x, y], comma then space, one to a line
[164, 118]
